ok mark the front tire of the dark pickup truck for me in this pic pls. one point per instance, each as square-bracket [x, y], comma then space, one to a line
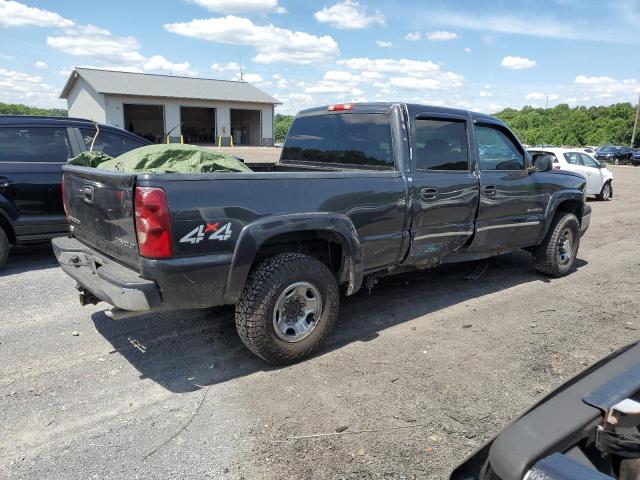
[552, 257]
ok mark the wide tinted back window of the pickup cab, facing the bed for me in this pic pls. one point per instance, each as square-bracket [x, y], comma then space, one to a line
[358, 139]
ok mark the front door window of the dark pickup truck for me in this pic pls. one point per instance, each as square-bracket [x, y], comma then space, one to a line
[497, 151]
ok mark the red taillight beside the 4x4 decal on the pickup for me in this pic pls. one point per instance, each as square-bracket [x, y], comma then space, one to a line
[153, 225]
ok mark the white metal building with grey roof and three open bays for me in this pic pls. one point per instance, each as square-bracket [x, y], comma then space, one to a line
[153, 106]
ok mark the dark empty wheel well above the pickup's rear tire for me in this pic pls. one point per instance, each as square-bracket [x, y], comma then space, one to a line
[326, 246]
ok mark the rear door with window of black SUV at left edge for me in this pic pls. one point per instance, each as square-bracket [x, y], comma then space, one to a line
[31, 160]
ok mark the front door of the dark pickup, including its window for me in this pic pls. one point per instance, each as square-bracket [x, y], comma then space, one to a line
[511, 203]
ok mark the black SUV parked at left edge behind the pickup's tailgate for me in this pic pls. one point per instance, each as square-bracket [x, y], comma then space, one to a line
[32, 153]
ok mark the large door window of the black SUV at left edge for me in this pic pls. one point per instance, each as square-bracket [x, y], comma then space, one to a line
[34, 144]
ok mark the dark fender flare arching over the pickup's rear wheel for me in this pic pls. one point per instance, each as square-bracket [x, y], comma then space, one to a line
[255, 234]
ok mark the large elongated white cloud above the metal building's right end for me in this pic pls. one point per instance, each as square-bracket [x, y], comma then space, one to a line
[273, 44]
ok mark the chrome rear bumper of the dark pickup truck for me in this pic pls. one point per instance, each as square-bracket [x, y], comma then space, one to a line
[110, 281]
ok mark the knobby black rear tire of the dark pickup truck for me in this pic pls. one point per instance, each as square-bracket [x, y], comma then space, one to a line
[267, 286]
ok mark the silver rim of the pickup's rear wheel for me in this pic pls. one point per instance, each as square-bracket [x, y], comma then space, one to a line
[297, 312]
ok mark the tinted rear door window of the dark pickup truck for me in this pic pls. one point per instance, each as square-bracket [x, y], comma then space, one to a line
[440, 145]
